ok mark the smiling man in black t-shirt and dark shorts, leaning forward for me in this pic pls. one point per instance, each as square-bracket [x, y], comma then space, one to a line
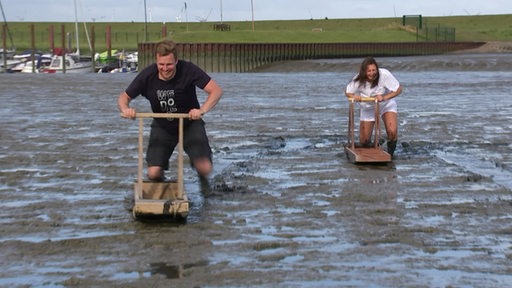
[170, 86]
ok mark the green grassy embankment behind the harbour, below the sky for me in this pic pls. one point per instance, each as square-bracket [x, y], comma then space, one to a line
[127, 35]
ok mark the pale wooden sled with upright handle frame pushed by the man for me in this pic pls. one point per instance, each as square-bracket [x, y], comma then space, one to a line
[166, 198]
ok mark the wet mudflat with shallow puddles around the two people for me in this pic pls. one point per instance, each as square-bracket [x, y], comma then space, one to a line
[288, 210]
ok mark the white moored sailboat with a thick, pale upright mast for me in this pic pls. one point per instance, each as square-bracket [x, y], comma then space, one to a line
[70, 62]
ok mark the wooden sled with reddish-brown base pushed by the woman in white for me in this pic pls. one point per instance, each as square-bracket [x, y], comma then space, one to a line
[357, 153]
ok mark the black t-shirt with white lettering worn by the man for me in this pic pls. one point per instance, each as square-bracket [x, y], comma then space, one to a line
[177, 95]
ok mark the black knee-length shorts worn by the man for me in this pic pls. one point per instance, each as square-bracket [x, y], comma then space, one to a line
[162, 143]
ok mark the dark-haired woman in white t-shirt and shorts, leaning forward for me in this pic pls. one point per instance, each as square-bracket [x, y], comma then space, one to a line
[372, 81]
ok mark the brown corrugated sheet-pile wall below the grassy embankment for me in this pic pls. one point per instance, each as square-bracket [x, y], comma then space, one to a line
[237, 57]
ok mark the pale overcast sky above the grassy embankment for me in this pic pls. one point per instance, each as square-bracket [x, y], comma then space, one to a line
[240, 10]
